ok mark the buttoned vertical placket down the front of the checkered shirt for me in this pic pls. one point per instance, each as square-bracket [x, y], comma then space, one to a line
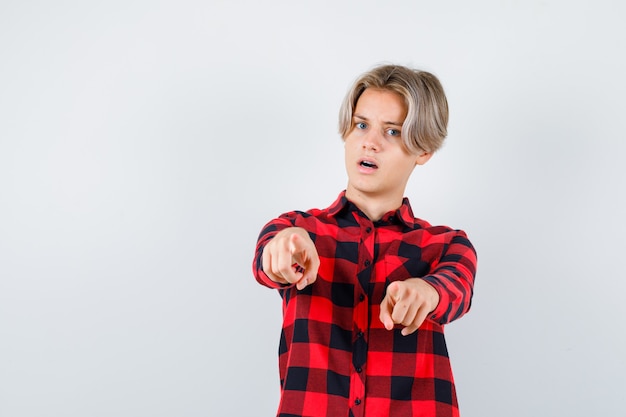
[361, 317]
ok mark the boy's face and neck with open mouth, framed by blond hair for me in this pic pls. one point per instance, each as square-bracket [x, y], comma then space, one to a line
[377, 162]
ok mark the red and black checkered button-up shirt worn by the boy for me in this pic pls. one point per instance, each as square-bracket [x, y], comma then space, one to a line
[335, 356]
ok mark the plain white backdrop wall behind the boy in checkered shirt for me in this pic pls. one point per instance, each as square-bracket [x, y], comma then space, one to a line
[143, 145]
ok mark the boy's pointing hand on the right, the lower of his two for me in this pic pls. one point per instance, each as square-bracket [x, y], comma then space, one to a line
[408, 303]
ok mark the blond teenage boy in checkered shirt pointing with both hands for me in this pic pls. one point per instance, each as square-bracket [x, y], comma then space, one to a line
[366, 286]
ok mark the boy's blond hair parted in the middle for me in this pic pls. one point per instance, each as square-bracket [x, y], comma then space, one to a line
[425, 126]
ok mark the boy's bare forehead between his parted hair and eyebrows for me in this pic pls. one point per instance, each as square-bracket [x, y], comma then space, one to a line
[381, 104]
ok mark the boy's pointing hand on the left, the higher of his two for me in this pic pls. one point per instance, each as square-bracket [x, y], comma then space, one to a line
[290, 248]
